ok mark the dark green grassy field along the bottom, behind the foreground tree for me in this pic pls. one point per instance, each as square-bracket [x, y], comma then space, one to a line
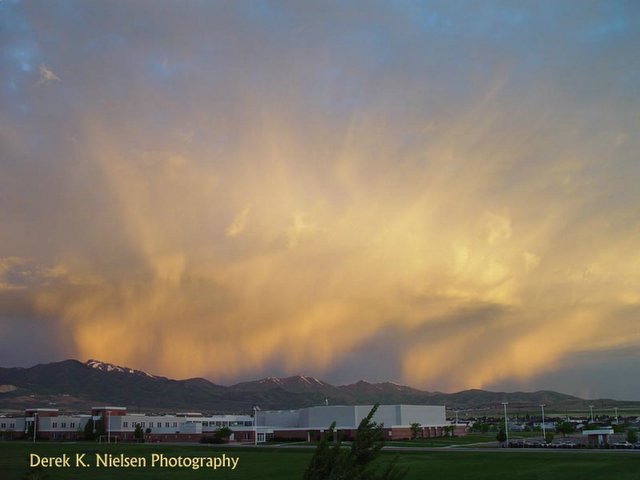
[285, 464]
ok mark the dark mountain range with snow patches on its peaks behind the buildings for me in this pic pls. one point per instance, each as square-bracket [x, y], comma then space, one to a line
[76, 386]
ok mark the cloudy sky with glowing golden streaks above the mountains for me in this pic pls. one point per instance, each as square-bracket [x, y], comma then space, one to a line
[439, 194]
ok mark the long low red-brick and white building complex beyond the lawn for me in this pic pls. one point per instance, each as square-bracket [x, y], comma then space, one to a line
[303, 424]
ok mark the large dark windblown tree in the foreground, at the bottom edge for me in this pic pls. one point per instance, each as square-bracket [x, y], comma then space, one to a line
[337, 463]
